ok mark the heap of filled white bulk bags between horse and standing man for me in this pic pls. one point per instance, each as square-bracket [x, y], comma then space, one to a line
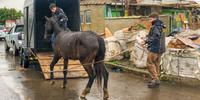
[126, 39]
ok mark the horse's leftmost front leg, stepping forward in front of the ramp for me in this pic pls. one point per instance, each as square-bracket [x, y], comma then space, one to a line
[54, 61]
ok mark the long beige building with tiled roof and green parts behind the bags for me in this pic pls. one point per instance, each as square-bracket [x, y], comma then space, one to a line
[96, 15]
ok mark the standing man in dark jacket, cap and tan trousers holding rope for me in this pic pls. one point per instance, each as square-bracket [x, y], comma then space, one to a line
[156, 47]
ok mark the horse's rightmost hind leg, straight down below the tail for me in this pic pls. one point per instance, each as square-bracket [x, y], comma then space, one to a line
[106, 77]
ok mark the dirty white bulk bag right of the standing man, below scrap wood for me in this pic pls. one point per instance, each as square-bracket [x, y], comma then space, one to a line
[179, 62]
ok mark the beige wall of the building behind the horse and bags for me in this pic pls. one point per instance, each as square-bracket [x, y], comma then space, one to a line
[99, 22]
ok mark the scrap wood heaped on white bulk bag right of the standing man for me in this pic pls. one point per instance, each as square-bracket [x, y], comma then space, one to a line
[182, 57]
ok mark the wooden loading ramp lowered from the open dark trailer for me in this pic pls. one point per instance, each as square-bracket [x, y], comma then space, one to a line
[75, 69]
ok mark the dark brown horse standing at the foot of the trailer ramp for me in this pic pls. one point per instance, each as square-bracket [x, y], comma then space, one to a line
[87, 47]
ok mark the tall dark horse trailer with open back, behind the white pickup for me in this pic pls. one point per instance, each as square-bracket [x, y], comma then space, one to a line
[36, 48]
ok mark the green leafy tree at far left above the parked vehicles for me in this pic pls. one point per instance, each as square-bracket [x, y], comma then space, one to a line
[9, 14]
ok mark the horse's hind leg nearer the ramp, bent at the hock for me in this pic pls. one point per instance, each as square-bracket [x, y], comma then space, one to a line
[92, 75]
